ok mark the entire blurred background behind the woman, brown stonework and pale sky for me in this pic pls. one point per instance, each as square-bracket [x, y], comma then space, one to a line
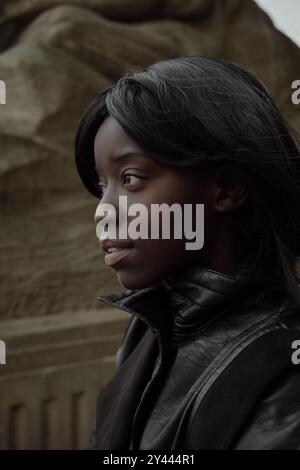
[55, 56]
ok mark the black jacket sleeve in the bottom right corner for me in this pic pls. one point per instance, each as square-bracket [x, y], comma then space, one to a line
[275, 423]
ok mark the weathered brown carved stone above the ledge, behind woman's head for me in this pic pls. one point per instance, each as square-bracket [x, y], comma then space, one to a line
[55, 57]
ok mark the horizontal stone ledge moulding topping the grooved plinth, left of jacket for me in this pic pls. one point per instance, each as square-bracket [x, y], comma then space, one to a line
[61, 339]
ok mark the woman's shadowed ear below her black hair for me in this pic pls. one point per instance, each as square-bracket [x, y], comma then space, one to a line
[231, 187]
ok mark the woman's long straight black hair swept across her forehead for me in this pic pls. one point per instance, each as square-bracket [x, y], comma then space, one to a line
[203, 111]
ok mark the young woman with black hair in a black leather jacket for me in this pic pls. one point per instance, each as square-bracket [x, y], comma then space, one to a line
[209, 357]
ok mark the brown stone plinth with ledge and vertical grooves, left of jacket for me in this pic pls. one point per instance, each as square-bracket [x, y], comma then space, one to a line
[55, 368]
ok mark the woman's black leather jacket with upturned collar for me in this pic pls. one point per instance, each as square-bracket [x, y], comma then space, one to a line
[182, 334]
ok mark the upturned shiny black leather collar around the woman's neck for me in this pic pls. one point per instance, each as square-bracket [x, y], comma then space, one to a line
[179, 306]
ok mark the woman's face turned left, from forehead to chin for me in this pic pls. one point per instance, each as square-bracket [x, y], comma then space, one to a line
[125, 170]
